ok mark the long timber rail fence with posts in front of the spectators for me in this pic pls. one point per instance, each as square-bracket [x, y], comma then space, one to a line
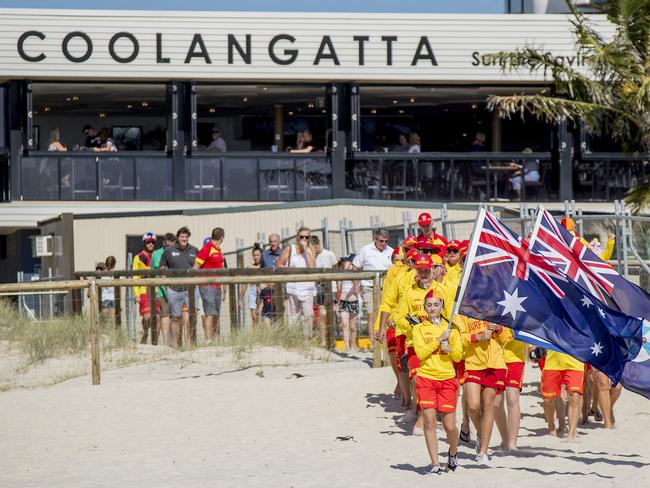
[94, 281]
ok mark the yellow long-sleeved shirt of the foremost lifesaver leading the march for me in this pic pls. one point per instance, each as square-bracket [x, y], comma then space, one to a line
[436, 364]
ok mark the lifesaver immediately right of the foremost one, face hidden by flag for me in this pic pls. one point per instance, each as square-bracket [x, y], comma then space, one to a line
[485, 376]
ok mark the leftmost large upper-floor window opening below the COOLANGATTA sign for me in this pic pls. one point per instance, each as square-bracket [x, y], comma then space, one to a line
[115, 116]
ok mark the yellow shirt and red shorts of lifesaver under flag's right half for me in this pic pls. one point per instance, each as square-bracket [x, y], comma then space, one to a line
[561, 369]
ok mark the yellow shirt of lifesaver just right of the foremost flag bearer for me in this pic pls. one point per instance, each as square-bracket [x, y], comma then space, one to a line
[482, 354]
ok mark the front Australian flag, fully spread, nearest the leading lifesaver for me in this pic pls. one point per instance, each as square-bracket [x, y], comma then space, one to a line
[508, 283]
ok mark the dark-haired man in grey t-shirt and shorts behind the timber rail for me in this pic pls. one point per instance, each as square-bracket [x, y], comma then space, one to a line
[180, 255]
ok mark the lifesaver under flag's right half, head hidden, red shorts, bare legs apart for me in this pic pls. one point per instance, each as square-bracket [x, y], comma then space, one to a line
[561, 369]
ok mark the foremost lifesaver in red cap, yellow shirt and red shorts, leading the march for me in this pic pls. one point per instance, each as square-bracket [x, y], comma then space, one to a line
[436, 387]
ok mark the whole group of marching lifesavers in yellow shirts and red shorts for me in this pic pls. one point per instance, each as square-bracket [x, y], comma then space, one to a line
[438, 357]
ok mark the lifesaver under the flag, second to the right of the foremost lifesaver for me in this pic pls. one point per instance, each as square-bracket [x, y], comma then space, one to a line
[515, 357]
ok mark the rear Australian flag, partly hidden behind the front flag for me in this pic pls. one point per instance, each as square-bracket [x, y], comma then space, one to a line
[569, 254]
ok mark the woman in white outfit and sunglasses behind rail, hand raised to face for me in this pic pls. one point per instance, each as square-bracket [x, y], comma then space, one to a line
[299, 302]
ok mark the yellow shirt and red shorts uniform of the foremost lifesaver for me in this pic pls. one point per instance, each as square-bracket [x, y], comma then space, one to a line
[435, 384]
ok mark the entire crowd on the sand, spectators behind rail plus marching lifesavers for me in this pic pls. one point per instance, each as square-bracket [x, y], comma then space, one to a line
[437, 358]
